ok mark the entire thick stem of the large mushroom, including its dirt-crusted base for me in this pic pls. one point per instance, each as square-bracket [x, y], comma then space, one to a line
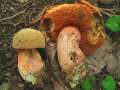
[70, 56]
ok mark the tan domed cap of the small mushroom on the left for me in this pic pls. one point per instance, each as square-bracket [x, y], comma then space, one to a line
[28, 38]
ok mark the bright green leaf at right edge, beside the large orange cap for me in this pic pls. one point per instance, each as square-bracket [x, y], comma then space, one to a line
[113, 23]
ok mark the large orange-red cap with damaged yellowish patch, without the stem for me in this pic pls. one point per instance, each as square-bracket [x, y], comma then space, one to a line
[77, 15]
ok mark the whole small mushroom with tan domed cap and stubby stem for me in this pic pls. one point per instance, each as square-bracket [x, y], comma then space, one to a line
[30, 64]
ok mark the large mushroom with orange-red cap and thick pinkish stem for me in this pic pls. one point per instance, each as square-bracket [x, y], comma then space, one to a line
[78, 31]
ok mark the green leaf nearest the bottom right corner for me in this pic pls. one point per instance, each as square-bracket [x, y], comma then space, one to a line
[109, 83]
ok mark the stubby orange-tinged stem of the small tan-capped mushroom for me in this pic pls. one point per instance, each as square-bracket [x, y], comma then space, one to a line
[30, 65]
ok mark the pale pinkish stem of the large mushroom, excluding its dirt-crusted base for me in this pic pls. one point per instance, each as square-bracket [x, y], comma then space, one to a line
[69, 53]
